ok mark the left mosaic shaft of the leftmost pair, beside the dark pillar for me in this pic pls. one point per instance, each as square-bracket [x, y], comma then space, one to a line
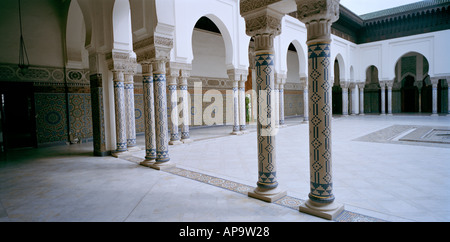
[119, 103]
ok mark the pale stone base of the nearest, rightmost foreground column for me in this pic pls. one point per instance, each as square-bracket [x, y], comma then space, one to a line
[327, 211]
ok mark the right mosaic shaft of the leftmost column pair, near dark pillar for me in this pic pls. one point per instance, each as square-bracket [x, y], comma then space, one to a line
[130, 112]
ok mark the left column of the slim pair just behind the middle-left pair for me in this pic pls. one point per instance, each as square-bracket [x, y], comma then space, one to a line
[173, 105]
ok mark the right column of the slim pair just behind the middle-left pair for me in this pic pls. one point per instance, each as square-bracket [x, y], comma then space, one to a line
[182, 85]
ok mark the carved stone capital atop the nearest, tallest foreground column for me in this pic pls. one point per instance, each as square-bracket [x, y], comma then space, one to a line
[318, 15]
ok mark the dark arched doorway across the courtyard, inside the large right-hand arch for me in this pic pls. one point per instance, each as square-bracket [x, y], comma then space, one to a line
[410, 95]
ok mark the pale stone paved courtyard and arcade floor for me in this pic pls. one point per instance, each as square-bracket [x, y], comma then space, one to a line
[378, 174]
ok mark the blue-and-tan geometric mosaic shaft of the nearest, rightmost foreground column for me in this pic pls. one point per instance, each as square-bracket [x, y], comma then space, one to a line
[320, 122]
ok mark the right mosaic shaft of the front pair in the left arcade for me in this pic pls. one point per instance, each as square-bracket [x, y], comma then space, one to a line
[161, 124]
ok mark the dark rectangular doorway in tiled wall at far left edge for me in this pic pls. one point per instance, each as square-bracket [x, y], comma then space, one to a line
[17, 115]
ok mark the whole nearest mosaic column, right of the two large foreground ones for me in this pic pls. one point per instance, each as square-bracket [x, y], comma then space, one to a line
[318, 19]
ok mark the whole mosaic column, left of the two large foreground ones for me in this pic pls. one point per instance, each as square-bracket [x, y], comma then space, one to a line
[263, 25]
